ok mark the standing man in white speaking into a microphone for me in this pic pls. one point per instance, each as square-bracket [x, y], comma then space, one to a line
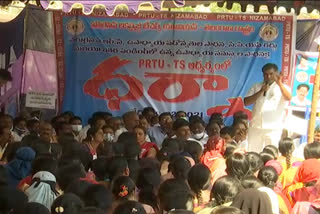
[268, 99]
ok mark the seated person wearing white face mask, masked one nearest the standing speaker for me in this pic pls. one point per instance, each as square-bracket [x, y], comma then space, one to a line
[197, 126]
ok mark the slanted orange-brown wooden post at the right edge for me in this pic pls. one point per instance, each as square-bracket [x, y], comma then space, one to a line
[314, 104]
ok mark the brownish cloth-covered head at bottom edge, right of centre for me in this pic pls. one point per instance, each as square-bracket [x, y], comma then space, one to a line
[253, 201]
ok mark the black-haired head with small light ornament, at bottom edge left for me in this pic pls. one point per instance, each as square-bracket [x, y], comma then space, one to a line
[70, 203]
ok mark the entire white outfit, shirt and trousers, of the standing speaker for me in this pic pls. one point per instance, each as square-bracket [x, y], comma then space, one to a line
[267, 118]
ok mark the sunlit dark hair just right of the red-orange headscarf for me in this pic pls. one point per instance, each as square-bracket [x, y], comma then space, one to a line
[238, 166]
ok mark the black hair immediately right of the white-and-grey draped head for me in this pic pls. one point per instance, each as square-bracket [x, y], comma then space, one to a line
[69, 173]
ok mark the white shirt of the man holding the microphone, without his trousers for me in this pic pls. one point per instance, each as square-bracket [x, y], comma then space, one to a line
[268, 111]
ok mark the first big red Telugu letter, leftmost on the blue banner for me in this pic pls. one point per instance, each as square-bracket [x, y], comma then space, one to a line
[103, 73]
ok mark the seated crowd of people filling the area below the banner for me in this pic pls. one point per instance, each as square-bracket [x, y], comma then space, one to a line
[150, 164]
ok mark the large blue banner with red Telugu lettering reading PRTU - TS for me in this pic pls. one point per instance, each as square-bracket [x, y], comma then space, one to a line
[197, 62]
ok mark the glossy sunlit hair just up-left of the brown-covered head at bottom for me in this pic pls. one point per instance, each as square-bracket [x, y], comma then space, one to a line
[225, 189]
